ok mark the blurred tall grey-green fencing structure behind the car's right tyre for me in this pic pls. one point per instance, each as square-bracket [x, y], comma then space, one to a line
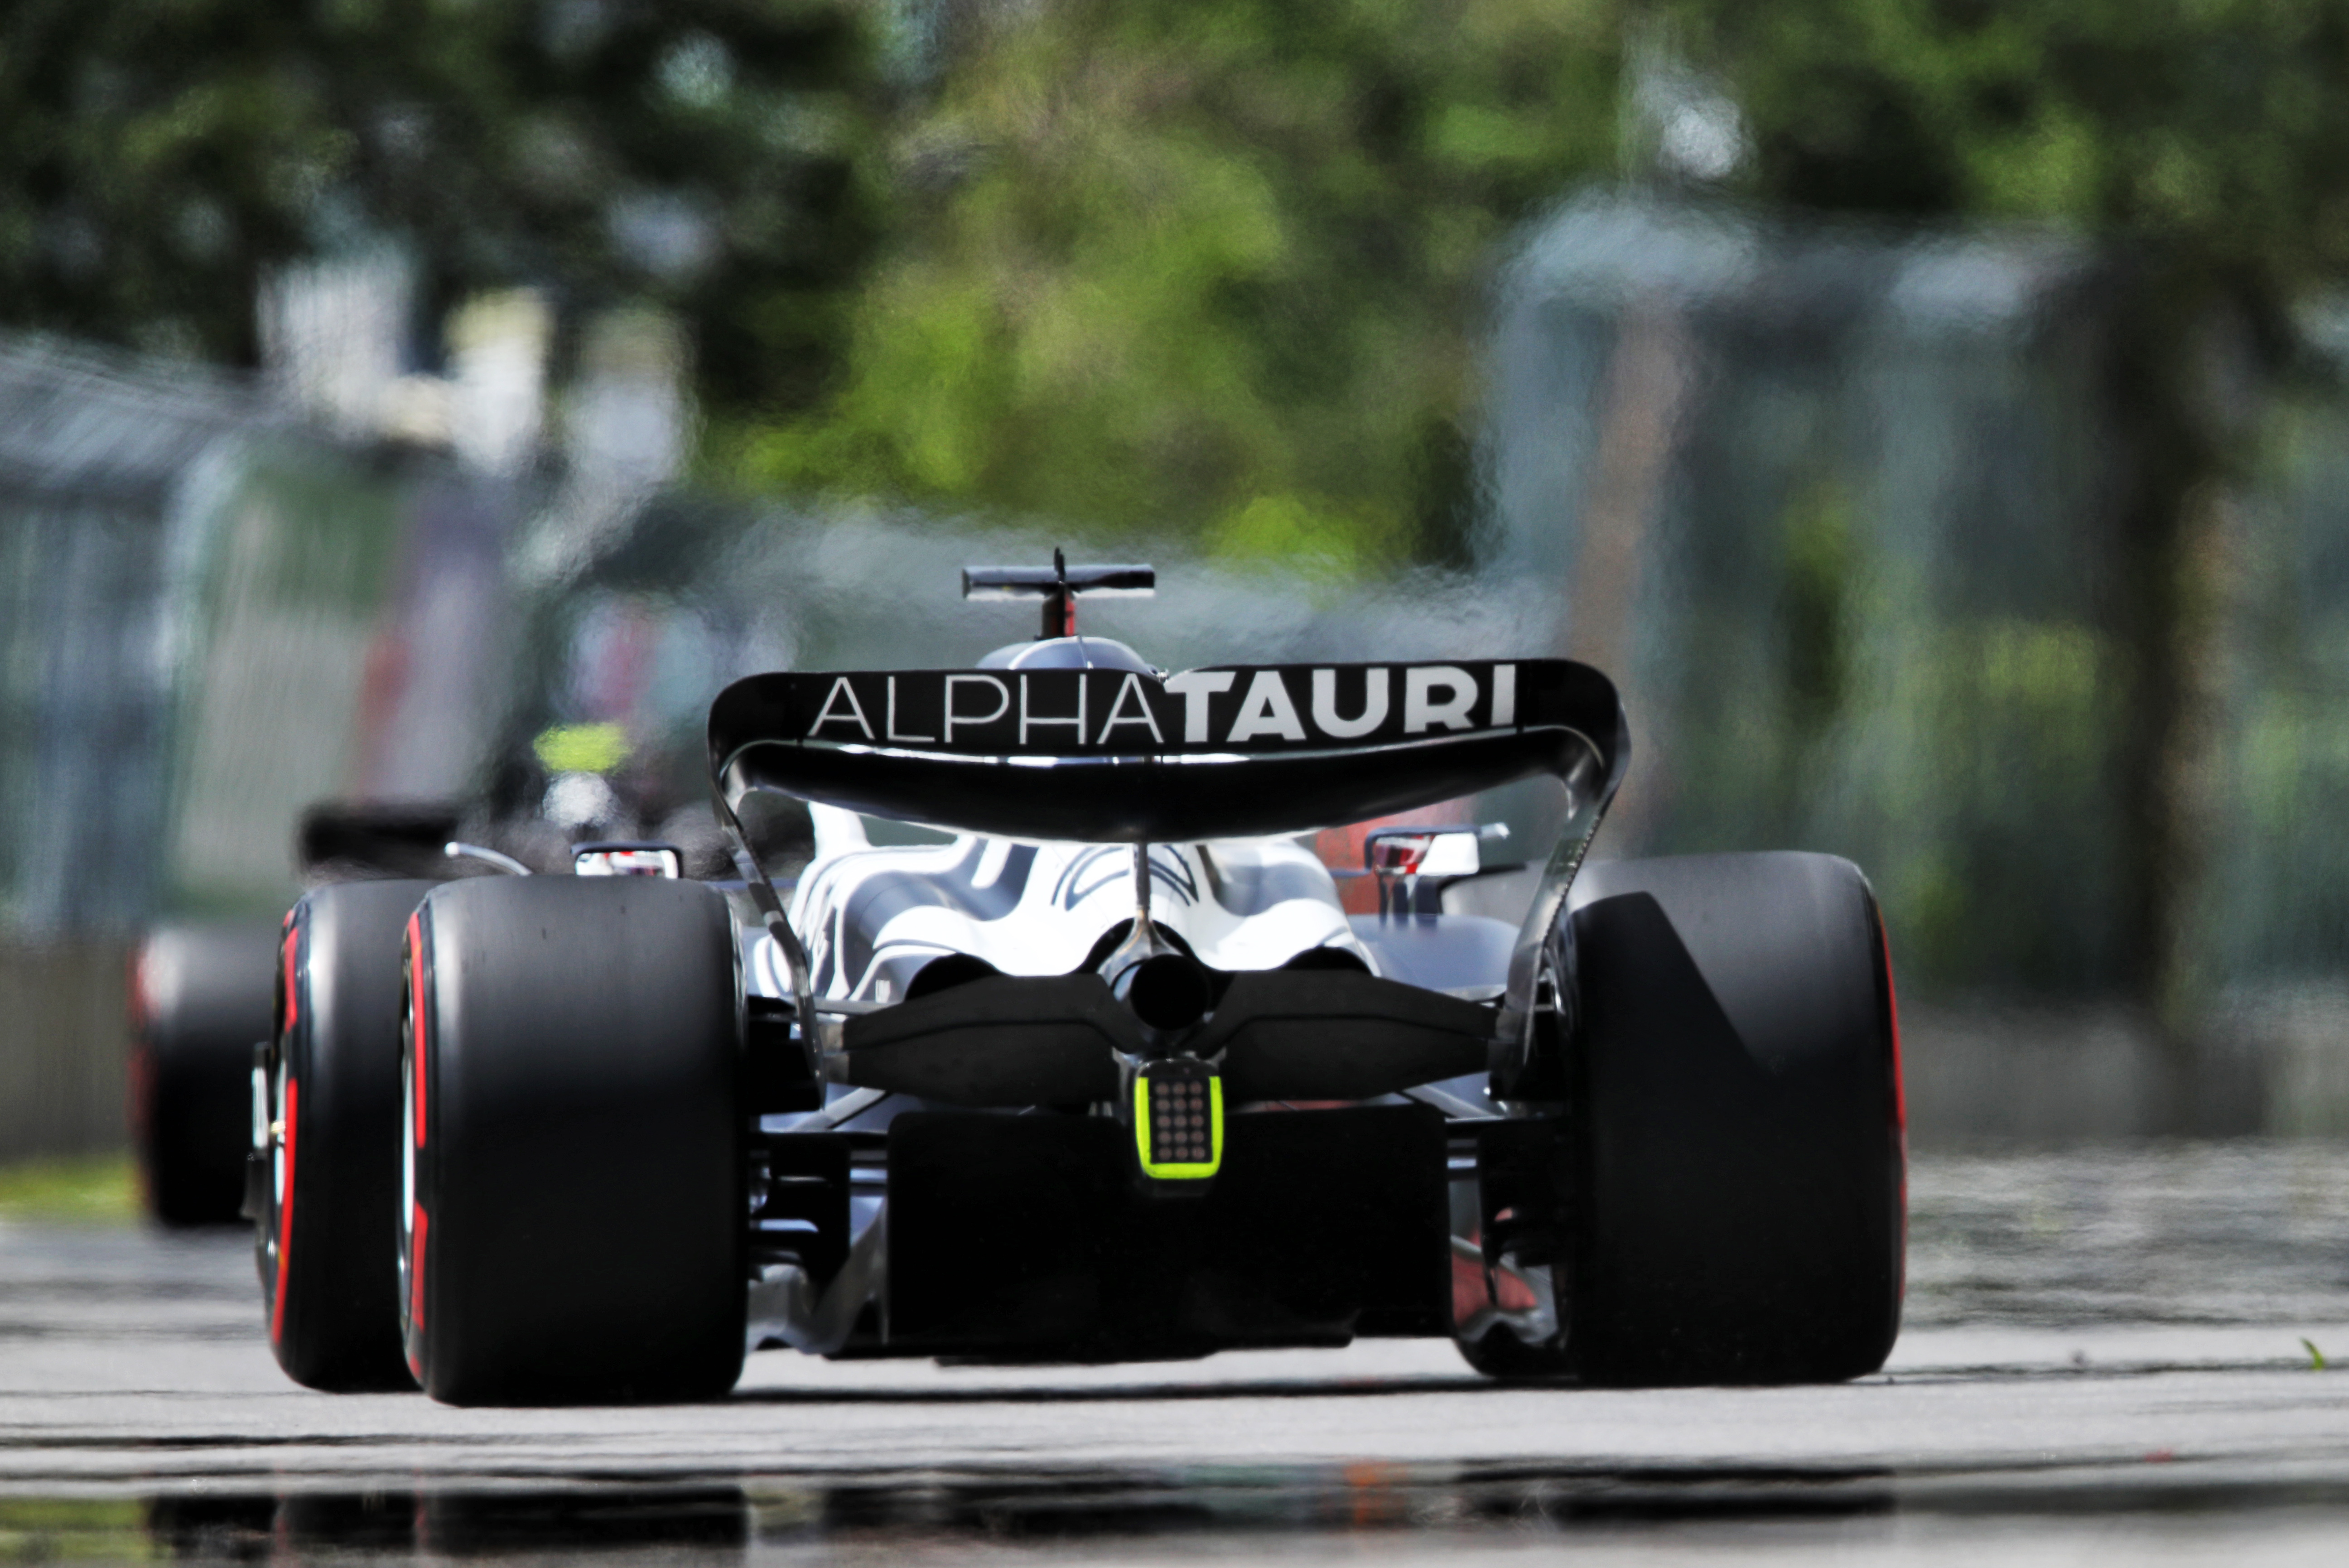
[1843, 511]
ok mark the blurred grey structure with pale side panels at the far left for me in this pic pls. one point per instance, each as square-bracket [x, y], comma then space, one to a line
[217, 611]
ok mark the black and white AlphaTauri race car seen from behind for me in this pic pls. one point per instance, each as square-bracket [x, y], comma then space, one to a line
[1105, 1069]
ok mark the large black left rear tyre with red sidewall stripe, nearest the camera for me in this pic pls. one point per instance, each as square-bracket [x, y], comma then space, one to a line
[574, 1149]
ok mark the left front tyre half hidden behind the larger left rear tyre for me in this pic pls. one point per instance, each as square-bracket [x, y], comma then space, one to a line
[325, 1234]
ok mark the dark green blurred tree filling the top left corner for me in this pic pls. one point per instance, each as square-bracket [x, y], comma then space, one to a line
[161, 156]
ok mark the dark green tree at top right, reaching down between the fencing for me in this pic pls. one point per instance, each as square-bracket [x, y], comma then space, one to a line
[2207, 147]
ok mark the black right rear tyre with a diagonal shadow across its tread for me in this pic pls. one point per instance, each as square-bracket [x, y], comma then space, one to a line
[1739, 1203]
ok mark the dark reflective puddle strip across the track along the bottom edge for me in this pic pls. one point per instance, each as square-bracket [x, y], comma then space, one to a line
[1364, 1513]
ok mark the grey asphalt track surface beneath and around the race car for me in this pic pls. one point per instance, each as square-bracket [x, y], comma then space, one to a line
[2108, 1360]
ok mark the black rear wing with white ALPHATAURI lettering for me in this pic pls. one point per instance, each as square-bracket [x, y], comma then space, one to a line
[1131, 757]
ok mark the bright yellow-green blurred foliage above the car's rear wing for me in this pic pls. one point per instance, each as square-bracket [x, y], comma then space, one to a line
[1211, 266]
